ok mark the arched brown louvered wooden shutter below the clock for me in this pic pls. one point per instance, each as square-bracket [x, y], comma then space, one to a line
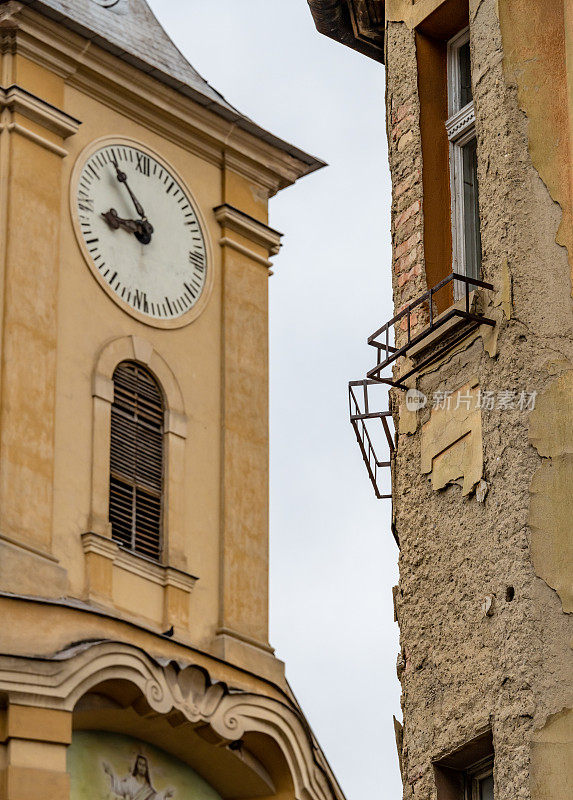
[136, 480]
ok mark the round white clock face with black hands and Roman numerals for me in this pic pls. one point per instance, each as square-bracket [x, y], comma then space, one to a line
[140, 232]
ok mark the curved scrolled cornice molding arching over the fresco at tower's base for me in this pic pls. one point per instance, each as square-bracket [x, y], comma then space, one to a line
[60, 681]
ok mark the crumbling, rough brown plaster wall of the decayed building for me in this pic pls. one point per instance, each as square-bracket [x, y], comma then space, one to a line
[462, 669]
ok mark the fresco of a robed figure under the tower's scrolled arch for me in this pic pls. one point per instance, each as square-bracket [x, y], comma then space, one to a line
[110, 766]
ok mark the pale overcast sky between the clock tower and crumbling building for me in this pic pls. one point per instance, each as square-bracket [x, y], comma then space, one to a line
[333, 558]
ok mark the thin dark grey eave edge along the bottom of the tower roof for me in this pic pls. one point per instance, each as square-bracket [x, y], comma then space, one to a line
[222, 109]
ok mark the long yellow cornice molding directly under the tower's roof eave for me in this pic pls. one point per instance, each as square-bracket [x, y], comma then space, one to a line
[163, 109]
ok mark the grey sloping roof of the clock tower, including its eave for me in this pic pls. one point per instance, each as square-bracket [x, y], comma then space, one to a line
[130, 30]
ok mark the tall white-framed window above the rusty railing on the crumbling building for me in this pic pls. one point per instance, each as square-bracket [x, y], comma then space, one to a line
[460, 126]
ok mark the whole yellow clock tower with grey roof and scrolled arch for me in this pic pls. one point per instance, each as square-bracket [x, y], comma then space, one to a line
[134, 260]
